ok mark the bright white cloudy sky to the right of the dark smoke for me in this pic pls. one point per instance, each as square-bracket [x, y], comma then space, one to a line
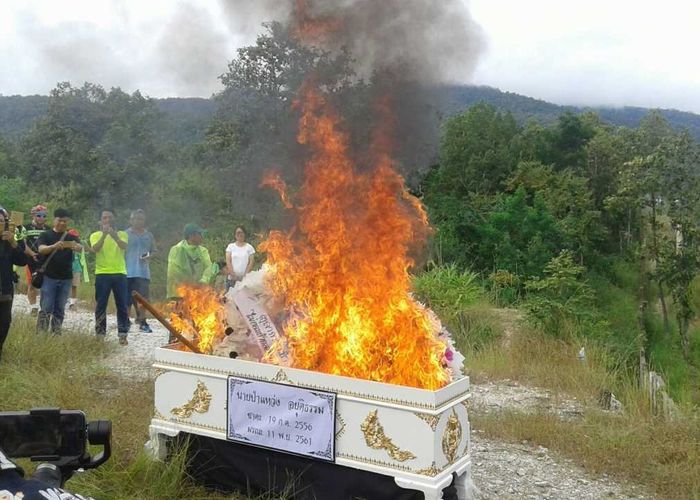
[595, 52]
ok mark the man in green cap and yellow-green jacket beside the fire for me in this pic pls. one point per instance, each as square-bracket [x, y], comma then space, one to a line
[187, 260]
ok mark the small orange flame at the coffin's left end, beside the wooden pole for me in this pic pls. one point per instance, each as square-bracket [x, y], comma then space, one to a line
[200, 315]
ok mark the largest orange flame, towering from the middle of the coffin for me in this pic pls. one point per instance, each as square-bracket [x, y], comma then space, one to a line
[344, 268]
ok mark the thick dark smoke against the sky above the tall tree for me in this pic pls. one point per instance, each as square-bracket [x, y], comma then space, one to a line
[425, 41]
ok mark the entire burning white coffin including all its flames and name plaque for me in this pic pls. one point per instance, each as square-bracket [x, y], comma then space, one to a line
[328, 356]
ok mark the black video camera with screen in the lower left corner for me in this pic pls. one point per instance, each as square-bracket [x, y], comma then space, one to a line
[57, 437]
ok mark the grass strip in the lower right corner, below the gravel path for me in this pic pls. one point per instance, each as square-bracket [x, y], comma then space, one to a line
[665, 456]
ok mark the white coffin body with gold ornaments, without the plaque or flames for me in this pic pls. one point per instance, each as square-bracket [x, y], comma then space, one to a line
[418, 436]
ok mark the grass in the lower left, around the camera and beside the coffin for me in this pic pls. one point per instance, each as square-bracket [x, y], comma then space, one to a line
[70, 372]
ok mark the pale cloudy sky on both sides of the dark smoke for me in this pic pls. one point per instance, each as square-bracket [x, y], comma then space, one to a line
[598, 52]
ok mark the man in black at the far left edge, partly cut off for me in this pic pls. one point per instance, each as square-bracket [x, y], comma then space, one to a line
[11, 253]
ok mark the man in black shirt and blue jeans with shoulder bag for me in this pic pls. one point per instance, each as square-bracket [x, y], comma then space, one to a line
[56, 248]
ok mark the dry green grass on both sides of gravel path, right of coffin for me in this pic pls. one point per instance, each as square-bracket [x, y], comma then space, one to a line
[662, 455]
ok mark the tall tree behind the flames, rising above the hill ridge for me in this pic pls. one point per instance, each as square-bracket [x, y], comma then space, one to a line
[256, 123]
